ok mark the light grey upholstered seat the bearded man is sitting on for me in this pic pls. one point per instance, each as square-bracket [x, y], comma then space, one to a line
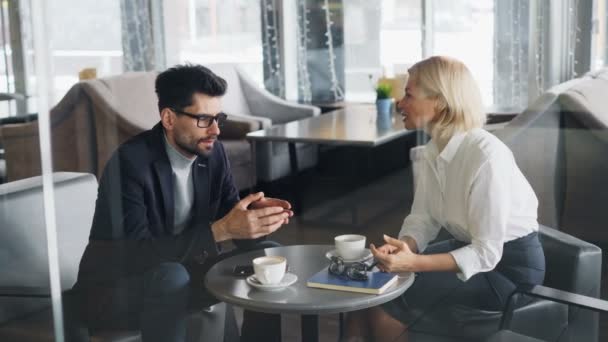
[25, 307]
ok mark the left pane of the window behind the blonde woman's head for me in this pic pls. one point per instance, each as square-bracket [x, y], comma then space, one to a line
[381, 38]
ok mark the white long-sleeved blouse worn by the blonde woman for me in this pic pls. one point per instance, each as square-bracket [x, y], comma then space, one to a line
[475, 190]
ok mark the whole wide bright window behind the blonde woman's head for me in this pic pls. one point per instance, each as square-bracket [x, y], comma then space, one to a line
[384, 38]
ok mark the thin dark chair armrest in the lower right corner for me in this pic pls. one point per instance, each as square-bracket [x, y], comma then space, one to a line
[555, 295]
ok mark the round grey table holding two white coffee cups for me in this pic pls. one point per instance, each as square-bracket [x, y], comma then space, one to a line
[304, 261]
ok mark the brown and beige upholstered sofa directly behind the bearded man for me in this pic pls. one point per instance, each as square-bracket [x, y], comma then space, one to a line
[96, 116]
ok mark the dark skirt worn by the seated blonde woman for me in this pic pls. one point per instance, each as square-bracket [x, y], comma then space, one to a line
[433, 294]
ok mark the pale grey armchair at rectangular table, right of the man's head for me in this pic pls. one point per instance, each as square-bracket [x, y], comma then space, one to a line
[245, 99]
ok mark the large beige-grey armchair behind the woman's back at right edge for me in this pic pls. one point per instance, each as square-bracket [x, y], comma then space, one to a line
[560, 143]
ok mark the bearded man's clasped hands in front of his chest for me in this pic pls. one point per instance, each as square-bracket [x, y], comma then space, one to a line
[241, 223]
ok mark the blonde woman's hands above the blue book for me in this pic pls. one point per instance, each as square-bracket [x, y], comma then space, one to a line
[394, 256]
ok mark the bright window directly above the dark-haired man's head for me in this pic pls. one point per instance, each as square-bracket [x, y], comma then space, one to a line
[214, 31]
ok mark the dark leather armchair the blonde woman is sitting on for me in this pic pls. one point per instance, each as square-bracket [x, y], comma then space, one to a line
[573, 266]
